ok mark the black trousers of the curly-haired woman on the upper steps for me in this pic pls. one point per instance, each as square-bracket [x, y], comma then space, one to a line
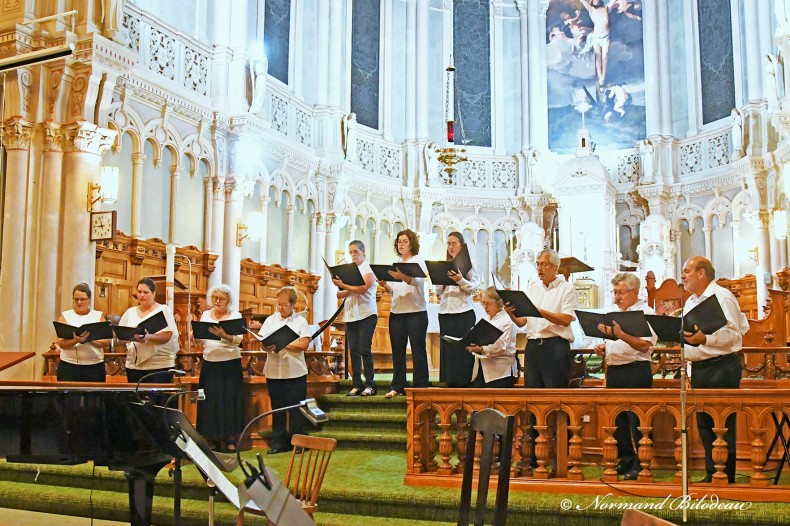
[411, 327]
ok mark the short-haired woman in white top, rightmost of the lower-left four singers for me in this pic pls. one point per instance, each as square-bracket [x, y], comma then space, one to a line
[286, 371]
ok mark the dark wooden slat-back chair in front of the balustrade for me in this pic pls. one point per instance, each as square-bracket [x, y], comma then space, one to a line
[495, 428]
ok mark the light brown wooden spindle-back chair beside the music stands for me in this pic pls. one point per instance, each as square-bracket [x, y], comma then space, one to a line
[309, 460]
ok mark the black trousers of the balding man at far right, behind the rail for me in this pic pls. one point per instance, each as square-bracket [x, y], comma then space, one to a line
[722, 372]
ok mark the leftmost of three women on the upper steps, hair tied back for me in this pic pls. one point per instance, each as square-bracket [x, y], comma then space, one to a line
[360, 315]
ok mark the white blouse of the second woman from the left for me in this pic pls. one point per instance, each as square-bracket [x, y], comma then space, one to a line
[148, 355]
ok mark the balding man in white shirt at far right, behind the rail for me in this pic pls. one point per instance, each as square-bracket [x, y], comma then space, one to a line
[715, 361]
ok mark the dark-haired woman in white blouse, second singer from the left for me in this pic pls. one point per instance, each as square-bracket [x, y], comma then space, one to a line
[150, 353]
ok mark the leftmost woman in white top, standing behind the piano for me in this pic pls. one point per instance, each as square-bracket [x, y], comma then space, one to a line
[81, 360]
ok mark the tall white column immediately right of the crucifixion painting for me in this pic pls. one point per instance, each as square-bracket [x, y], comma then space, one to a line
[651, 28]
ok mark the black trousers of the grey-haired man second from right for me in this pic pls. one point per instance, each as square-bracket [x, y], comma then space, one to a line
[630, 375]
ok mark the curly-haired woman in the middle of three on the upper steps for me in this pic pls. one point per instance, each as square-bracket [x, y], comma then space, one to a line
[408, 316]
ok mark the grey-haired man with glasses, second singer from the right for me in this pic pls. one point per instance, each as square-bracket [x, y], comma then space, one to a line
[628, 366]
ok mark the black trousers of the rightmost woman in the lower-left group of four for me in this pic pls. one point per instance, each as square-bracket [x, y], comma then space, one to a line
[284, 392]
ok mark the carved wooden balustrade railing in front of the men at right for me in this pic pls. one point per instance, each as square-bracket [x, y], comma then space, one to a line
[437, 430]
